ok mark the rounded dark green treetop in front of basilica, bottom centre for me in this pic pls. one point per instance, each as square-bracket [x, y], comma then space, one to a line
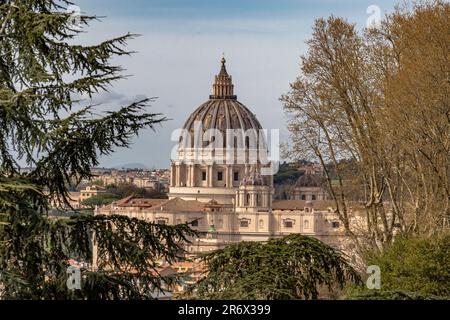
[293, 267]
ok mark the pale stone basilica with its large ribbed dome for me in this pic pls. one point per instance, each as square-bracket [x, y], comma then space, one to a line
[224, 190]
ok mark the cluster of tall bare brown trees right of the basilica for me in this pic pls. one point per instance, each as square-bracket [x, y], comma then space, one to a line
[373, 109]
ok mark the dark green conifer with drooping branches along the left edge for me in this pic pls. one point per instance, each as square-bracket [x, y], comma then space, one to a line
[44, 126]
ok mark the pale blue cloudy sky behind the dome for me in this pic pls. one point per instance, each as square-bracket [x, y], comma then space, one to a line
[179, 49]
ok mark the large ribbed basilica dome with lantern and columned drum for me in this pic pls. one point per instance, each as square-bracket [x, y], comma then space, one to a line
[221, 149]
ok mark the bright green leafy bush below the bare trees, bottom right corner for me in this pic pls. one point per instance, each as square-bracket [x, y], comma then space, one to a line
[412, 268]
